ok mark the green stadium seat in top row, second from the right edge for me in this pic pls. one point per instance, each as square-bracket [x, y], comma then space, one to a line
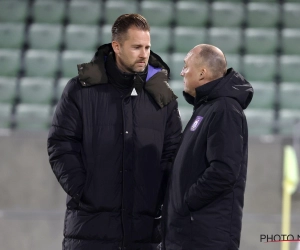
[265, 15]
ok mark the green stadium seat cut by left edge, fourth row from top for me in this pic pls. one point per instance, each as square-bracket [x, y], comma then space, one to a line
[7, 89]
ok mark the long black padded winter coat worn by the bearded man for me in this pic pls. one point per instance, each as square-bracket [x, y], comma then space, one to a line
[111, 154]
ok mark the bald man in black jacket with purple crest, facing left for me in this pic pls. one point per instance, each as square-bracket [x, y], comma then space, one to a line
[204, 204]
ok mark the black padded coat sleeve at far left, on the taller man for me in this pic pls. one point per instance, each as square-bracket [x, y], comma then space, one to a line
[64, 143]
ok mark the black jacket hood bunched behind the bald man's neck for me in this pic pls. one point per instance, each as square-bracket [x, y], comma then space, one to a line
[232, 85]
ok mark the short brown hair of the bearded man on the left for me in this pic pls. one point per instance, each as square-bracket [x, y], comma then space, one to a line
[124, 22]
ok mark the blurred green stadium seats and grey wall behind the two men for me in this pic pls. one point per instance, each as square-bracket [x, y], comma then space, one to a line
[42, 41]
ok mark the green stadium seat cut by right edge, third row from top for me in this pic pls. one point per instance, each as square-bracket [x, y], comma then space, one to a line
[290, 68]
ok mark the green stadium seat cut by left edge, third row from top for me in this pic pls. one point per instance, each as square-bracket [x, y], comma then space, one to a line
[9, 62]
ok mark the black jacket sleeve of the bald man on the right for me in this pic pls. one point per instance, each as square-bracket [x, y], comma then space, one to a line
[224, 155]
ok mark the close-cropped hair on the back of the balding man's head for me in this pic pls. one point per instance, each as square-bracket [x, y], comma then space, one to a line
[213, 60]
